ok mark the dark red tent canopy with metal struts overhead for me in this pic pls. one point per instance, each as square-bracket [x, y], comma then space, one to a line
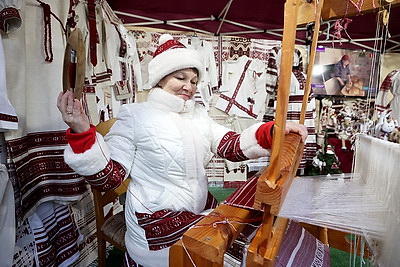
[254, 19]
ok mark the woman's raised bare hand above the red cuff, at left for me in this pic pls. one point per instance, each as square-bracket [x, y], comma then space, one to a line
[72, 112]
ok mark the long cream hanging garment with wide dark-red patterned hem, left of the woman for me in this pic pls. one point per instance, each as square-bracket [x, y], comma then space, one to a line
[35, 149]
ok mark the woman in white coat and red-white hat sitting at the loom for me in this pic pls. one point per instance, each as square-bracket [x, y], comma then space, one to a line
[164, 144]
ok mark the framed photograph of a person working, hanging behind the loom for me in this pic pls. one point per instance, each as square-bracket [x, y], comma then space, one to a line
[343, 72]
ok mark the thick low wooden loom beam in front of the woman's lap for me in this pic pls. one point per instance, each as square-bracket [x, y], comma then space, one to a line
[210, 238]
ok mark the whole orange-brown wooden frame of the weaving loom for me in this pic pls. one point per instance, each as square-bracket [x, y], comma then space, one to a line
[206, 245]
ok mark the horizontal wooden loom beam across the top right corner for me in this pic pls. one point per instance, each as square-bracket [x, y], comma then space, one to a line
[335, 9]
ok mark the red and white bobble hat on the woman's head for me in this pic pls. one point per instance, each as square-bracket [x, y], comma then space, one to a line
[171, 55]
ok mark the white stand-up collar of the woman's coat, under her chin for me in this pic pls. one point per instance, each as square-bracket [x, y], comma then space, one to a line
[163, 100]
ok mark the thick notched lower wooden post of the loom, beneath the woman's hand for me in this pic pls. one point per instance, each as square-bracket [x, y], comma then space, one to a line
[267, 242]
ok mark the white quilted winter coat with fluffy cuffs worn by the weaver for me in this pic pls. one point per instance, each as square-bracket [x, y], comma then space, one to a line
[164, 144]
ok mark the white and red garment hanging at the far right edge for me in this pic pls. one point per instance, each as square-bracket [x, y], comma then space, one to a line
[391, 84]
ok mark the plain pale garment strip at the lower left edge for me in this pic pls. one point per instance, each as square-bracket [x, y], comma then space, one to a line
[7, 218]
